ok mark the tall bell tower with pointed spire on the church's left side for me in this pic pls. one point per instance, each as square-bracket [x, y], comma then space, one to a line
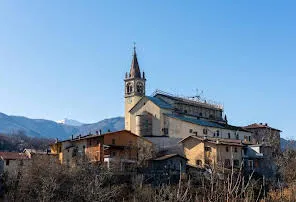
[134, 84]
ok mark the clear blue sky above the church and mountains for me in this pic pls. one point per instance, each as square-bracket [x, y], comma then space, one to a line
[68, 58]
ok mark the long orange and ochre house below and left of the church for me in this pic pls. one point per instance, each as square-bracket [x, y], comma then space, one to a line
[120, 147]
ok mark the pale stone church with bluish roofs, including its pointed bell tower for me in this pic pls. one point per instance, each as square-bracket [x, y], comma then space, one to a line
[164, 115]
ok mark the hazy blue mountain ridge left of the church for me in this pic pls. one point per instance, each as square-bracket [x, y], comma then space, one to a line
[51, 129]
